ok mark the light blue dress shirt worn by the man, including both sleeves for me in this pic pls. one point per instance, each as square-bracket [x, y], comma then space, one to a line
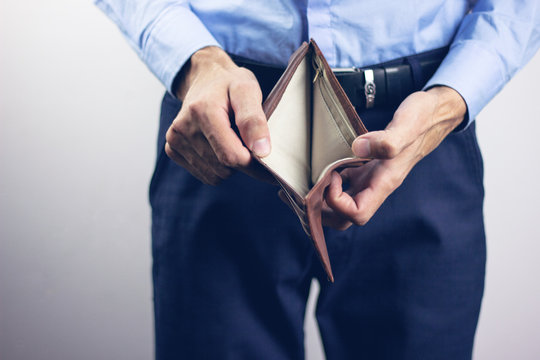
[490, 39]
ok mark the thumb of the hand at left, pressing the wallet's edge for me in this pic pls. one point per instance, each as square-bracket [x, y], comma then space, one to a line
[246, 101]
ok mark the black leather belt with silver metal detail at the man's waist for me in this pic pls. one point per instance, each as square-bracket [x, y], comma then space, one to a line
[383, 85]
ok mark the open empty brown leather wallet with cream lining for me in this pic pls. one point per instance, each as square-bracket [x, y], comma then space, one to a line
[312, 127]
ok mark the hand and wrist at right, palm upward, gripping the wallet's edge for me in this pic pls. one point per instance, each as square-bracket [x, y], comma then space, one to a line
[419, 125]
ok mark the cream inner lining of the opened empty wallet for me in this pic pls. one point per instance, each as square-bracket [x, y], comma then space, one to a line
[308, 129]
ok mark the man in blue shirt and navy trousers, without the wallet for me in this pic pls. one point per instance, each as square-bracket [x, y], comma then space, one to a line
[232, 267]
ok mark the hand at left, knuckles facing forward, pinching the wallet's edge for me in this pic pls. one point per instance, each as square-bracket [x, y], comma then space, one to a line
[215, 90]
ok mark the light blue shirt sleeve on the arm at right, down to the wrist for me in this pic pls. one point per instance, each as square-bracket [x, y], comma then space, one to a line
[495, 39]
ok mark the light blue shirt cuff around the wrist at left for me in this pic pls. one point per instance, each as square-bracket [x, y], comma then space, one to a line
[171, 41]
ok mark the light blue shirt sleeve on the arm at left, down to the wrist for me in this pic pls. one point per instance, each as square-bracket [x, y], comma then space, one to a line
[164, 33]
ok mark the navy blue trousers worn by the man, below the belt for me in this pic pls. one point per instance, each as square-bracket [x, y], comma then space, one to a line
[232, 267]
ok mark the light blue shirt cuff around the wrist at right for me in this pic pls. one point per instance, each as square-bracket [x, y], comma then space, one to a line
[475, 72]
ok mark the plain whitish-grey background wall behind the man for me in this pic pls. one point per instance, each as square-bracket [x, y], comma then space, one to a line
[78, 120]
